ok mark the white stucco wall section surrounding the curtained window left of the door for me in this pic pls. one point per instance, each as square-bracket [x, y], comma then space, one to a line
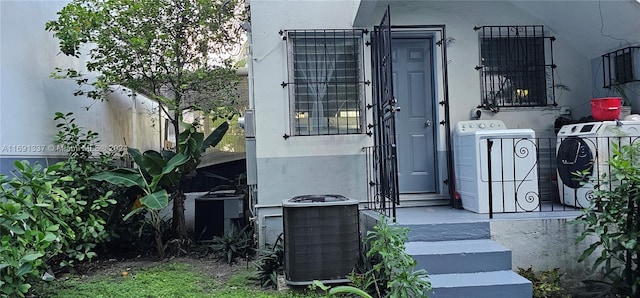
[297, 165]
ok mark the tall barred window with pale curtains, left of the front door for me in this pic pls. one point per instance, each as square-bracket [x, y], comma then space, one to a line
[325, 81]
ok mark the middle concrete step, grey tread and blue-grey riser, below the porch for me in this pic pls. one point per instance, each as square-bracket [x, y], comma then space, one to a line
[460, 256]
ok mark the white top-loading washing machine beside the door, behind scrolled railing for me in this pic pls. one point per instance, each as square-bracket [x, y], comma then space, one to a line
[512, 164]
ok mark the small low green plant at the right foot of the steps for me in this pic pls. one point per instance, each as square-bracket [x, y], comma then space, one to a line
[546, 284]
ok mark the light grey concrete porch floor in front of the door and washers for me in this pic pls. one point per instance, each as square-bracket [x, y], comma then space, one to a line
[446, 214]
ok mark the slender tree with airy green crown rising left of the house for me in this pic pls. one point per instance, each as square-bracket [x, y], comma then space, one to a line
[175, 52]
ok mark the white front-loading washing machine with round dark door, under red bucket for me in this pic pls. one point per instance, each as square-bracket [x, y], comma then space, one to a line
[586, 147]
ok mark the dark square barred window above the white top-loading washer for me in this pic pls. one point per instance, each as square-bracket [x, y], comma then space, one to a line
[516, 66]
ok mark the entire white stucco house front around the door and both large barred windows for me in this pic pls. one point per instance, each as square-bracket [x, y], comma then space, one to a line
[280, 176]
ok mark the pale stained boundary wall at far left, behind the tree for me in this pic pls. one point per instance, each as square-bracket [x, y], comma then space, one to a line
[29, 97]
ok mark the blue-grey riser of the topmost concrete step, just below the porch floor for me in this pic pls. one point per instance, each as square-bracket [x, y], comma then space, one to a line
[472, 230]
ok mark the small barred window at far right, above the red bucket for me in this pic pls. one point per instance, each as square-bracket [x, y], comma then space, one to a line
[621, 66]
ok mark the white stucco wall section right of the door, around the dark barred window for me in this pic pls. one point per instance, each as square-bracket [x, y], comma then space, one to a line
[460, 17]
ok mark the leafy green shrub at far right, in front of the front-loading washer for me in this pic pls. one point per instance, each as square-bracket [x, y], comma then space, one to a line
[614, 220]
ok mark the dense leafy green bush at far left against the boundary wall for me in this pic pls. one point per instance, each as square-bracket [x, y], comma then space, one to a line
[53, 216]
